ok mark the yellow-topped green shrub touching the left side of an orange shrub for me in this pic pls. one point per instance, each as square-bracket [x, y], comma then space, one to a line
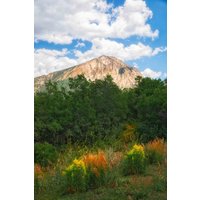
[75, 176]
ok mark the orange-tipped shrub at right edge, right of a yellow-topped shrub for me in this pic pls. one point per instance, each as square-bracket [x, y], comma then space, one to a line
[155, 151]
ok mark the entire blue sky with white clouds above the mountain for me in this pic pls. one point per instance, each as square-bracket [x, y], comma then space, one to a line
[71, 32]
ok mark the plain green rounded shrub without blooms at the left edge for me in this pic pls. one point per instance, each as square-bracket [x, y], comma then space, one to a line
[45, 154]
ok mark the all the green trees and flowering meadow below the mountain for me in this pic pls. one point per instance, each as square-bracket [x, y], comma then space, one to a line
[96, 141]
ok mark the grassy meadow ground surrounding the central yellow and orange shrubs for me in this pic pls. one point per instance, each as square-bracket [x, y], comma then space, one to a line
[150, 184]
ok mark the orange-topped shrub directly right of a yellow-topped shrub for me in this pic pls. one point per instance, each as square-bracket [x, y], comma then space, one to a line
[96, 166]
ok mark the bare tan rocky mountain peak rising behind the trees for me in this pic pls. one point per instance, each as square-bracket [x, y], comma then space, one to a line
[98, 68]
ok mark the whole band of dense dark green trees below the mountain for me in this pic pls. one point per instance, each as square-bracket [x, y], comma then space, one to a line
[87, 111]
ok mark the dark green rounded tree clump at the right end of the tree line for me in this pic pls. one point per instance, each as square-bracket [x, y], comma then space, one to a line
[148, 108]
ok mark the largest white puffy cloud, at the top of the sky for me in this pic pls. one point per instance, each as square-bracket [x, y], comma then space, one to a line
[62, 21]
